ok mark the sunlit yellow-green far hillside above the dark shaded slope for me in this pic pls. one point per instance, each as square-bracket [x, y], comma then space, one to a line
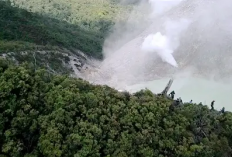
[94, 15]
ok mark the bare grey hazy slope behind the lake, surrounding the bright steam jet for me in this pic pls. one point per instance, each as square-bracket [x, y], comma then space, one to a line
[203, 49]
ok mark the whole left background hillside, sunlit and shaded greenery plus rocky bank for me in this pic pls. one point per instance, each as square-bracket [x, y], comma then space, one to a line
[40, 32]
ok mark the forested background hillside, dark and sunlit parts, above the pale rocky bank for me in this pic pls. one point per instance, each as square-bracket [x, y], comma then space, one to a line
[49, 25]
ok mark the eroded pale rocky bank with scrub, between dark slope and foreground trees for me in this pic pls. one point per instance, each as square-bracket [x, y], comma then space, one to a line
[62, 61]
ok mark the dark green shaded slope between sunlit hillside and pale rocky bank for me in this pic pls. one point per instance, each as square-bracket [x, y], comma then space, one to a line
[28, 31]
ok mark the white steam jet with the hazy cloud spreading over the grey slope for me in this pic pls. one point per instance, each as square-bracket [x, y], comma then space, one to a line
[163, 37]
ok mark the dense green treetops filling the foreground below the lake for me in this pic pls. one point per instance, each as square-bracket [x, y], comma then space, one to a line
[46, 115]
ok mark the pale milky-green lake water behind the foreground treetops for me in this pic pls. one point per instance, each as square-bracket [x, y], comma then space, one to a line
[197, 89]
